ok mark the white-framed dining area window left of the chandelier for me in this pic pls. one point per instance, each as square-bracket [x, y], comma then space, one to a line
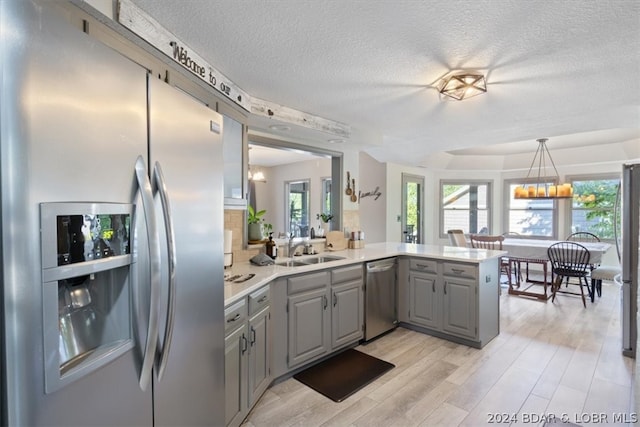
[465, 205]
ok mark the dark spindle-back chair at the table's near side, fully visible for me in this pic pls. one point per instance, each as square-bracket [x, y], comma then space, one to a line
[569, 259]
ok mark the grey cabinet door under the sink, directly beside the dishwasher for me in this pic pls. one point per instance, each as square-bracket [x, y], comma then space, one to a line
[346, 313]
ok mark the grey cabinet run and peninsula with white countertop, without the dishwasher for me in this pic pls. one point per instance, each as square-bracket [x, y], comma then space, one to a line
[281, 318]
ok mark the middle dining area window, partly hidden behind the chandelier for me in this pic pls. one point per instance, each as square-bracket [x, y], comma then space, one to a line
[535, 218]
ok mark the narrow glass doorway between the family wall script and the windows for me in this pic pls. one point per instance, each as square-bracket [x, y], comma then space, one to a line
[412, 208]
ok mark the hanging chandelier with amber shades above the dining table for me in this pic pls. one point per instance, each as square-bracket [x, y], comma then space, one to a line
[539, 185]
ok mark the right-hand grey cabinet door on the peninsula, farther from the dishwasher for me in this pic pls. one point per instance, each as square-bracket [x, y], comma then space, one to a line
[460, 307]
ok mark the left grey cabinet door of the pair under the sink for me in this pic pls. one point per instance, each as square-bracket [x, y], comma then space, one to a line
[309, 334]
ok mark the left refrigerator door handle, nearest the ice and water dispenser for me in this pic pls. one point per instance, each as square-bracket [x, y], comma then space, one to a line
[154, 272]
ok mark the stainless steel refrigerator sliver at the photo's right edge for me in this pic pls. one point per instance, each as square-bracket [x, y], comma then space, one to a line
[630, 210]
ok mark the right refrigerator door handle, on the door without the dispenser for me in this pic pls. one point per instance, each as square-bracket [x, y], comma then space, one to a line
[158, 177]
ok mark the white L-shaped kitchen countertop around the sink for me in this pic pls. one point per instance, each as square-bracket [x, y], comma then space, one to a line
[265, 274]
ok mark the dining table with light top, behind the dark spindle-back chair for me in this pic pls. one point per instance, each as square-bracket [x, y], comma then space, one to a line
[534, 251]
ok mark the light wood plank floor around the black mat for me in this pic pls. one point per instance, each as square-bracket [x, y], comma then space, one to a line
[549, 358]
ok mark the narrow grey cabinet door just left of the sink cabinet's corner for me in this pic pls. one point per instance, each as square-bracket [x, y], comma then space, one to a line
[259, 377]
